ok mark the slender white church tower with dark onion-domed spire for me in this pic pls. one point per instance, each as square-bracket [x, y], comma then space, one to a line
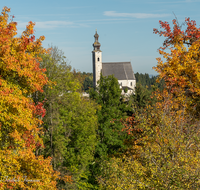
[97, 60]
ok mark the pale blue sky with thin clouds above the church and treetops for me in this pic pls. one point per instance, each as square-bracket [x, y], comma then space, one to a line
[125, 27]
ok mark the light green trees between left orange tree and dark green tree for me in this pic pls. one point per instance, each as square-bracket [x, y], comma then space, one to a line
[69, 125]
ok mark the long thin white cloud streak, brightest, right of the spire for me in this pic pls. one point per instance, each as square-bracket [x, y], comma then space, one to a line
[134, 15]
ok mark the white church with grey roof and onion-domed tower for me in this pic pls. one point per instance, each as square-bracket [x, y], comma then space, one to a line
[121, 70]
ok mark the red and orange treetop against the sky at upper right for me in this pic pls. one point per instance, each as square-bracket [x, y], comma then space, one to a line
[181, 68]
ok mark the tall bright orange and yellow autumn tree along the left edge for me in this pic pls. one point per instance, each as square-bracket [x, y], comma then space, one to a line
[20, 76]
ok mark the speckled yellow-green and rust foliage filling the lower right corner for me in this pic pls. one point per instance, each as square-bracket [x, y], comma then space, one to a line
[162, 154]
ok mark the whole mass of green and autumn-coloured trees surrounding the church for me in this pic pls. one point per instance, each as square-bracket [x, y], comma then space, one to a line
[53, 138]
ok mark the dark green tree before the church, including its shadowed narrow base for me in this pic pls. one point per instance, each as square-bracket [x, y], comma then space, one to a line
[110, 135]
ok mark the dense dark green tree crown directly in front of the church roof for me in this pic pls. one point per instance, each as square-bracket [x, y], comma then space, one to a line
[108, 96]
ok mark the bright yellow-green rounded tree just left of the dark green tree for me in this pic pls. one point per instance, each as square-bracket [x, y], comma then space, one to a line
[80, 132]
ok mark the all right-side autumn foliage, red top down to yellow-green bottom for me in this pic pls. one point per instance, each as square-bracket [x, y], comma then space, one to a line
[165, 152]
